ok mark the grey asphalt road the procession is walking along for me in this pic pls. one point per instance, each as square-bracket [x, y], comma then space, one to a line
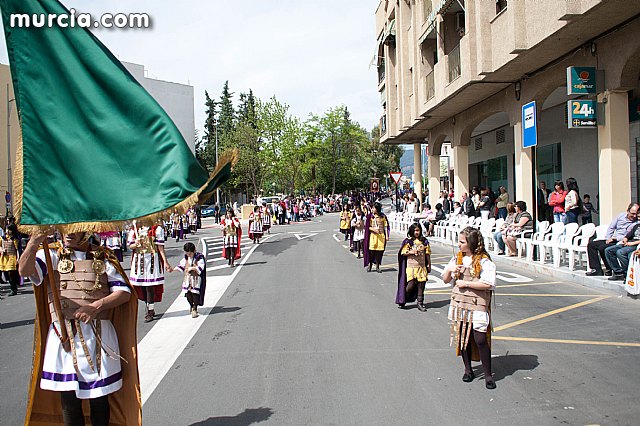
[301, 335]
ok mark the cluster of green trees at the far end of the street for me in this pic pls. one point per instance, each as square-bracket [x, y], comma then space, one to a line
[328, 153]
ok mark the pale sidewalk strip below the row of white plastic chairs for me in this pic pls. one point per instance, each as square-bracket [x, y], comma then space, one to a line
[562, 274]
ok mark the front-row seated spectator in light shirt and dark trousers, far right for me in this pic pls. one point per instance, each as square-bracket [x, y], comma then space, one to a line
[618, 229]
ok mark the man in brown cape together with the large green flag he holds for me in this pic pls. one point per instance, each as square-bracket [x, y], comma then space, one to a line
[83, 166]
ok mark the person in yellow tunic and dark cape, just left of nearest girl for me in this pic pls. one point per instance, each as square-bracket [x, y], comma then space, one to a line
[414, 264]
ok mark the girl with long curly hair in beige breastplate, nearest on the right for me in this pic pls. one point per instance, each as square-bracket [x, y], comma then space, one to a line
[474, 279]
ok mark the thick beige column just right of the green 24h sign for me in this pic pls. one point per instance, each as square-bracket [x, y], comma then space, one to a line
[614, 161]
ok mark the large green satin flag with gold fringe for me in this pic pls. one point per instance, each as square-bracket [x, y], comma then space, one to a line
[96, 149]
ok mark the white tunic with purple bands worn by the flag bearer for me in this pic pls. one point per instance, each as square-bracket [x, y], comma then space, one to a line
[58, 372]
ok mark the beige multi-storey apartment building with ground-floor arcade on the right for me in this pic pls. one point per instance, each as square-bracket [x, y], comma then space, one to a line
[460, 71]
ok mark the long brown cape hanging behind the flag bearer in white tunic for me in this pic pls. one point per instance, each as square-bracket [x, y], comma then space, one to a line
[44, 407]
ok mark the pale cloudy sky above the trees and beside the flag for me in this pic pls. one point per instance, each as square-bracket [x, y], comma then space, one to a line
[311, 54]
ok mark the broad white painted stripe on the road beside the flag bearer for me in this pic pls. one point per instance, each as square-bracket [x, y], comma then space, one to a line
[164, 343]
